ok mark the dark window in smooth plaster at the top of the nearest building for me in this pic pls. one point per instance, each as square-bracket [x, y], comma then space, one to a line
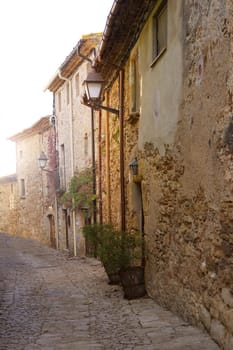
[160, 30]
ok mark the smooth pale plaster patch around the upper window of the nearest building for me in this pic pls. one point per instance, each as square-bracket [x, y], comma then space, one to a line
[161, 82]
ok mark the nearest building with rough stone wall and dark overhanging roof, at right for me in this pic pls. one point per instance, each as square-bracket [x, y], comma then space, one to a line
[168, 70]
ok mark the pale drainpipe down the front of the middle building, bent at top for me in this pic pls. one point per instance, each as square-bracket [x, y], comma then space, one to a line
[71, 152]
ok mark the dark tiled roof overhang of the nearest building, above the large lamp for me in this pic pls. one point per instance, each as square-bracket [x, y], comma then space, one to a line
[123, 27]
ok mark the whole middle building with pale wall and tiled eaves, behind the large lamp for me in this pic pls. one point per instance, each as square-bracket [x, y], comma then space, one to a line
[74, 129]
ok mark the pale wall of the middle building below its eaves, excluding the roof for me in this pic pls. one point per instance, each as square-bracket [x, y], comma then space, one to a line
[75, 148]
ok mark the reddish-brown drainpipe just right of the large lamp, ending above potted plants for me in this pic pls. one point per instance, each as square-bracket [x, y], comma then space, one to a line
[122, 170]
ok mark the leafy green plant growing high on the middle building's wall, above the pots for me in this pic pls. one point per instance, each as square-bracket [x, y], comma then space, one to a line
[80, 193]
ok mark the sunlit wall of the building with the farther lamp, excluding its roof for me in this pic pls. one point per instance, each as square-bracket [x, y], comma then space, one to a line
[38, 201]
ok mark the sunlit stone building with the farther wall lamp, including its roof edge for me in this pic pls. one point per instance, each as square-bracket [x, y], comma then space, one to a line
[36, 204]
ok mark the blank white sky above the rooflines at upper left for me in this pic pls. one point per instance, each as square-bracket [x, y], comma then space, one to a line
[35, 37]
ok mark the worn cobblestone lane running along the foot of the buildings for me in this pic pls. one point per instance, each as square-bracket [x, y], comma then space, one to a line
[49, 301]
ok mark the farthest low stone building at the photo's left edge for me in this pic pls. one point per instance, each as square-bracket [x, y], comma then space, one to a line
[8, 204]
